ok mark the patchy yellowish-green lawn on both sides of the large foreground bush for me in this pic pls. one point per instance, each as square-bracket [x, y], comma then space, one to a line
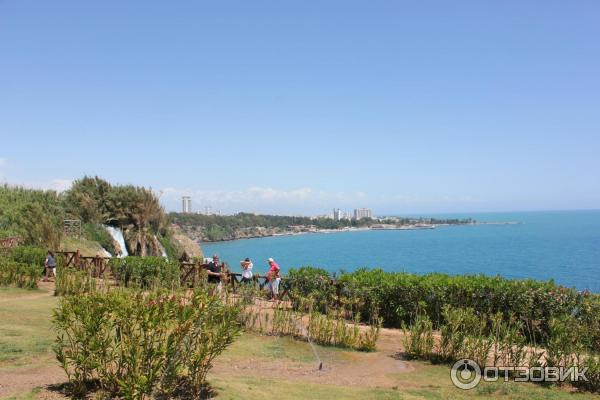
[26, 336]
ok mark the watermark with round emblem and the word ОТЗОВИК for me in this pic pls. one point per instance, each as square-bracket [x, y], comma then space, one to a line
[467, 374]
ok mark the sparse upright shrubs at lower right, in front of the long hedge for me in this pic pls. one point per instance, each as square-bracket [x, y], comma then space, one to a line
[463, 336]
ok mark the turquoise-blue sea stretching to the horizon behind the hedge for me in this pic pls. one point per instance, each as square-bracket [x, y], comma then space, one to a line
[559, 245]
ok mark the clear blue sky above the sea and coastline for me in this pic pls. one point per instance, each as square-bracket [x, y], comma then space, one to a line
[301, 106]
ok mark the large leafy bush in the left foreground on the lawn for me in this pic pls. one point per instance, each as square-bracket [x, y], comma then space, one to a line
[131, 344]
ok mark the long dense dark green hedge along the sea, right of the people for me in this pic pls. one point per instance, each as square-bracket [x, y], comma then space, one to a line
[397, 296]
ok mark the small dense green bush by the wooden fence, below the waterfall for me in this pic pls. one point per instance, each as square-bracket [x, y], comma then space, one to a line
[145, 272]
